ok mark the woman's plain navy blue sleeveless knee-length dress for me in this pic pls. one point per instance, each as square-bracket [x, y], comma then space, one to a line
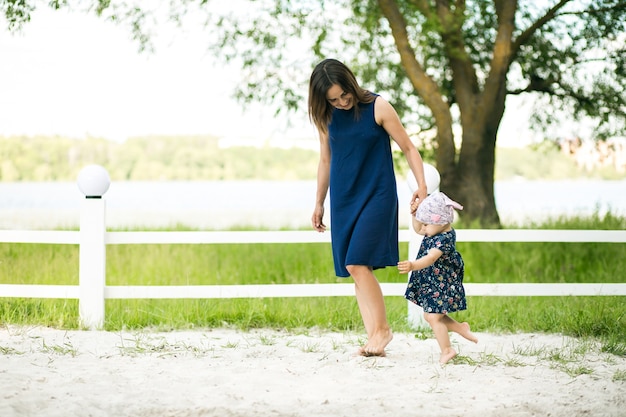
[363, 195]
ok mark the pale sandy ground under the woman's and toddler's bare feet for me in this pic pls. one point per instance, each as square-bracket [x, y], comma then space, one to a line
[227, 373]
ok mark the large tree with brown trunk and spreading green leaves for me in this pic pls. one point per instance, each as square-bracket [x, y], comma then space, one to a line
[447, 65]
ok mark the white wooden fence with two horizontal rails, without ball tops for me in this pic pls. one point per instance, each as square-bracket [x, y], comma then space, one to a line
[93, 238]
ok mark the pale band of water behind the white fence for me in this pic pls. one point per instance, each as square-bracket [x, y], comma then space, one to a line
[270, 204]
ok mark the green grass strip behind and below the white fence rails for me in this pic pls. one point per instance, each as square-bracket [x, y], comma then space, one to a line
[598, 317]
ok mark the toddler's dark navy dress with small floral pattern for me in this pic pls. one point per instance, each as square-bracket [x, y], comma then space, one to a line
[439, 287]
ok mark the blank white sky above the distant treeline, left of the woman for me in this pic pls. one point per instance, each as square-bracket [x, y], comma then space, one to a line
[76, 75]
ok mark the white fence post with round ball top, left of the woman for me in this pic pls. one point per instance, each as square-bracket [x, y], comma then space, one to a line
[93, 181]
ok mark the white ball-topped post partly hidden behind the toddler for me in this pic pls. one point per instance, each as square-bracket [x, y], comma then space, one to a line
[415, 313]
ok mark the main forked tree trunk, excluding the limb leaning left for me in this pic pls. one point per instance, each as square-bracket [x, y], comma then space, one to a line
[481, 112]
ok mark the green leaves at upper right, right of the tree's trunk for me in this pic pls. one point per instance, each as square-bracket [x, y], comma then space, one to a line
[575, 60]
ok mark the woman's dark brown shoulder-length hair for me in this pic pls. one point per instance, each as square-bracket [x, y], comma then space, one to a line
[326, 74]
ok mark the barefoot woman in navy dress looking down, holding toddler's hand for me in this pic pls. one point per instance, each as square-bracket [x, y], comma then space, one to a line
[355, 127]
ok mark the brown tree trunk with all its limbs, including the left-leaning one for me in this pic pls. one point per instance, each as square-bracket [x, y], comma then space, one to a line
[470, 178]
